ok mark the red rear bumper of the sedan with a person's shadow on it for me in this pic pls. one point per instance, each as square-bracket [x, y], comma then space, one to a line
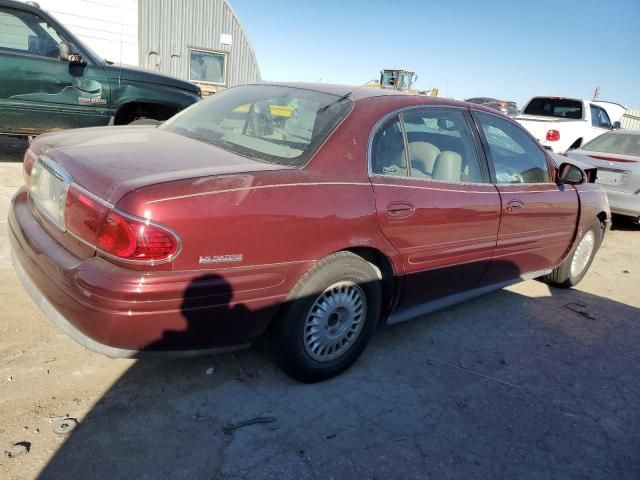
[120, 312]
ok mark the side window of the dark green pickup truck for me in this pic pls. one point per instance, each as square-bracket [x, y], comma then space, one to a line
[25, 32]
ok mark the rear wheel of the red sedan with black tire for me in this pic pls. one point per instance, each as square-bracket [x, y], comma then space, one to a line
[286, 341]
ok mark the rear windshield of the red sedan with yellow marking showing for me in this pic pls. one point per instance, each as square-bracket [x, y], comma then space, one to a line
[273, 124]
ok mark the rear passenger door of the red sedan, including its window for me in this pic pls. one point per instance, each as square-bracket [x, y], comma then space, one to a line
[434, 200]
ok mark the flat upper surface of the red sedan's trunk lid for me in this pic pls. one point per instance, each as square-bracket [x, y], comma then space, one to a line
[110, 162]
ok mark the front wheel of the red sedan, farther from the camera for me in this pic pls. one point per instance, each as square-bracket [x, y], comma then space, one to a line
[575, 266]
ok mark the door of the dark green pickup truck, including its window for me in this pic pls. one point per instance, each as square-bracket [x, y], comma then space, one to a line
[38, 91]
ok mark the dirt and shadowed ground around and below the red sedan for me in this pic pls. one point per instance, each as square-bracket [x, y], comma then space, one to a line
[524, 383]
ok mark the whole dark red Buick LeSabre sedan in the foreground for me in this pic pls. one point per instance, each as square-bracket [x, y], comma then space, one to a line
[308, 215]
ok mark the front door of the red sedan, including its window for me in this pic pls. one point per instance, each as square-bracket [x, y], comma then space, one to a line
[539, 217]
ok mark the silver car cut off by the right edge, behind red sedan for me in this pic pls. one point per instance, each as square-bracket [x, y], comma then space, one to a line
[617, 157]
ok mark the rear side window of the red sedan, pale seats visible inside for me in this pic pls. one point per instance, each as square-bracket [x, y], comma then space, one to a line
[439, 146]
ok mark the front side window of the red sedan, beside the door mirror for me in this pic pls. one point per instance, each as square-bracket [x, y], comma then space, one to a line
[516, 157]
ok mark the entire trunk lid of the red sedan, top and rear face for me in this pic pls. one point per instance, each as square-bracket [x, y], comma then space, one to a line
[107, 163]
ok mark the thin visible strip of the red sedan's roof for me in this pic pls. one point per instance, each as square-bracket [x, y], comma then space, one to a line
[363, 93]
